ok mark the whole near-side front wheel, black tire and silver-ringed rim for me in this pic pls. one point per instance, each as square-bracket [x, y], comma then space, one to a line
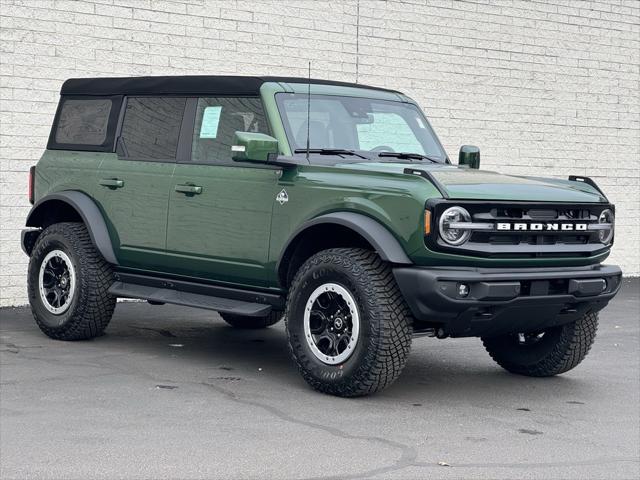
[348, 325]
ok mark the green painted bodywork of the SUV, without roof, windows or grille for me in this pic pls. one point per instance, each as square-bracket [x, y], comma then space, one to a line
[234, 231]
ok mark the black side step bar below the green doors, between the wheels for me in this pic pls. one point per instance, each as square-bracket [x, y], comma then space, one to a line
[220, 299]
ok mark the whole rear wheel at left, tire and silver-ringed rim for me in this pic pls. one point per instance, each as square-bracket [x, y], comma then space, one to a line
[67, 282]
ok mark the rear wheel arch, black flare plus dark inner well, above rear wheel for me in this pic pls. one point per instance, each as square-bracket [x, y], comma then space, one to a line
[69, 206]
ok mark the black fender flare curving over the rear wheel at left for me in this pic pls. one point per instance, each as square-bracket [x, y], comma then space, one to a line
[88, 211]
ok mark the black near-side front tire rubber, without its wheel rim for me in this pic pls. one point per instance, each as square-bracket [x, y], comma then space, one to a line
[385, 322]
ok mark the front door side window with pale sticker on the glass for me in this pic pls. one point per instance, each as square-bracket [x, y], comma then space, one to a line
[217, 120]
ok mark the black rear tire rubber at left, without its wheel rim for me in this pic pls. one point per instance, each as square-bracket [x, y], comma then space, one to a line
[91, 306]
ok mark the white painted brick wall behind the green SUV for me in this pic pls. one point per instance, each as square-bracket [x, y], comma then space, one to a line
[543, 87]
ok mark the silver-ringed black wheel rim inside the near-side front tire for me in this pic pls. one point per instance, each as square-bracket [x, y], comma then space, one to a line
[331, 323]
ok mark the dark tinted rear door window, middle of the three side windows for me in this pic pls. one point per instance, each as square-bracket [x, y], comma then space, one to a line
[151, 128]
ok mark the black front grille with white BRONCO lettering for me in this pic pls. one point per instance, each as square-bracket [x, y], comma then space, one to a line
[524, 244]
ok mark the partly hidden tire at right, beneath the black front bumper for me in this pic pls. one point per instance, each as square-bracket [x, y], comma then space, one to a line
[563, 349]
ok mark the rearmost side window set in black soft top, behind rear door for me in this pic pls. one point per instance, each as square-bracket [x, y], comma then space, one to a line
[85, 123]
